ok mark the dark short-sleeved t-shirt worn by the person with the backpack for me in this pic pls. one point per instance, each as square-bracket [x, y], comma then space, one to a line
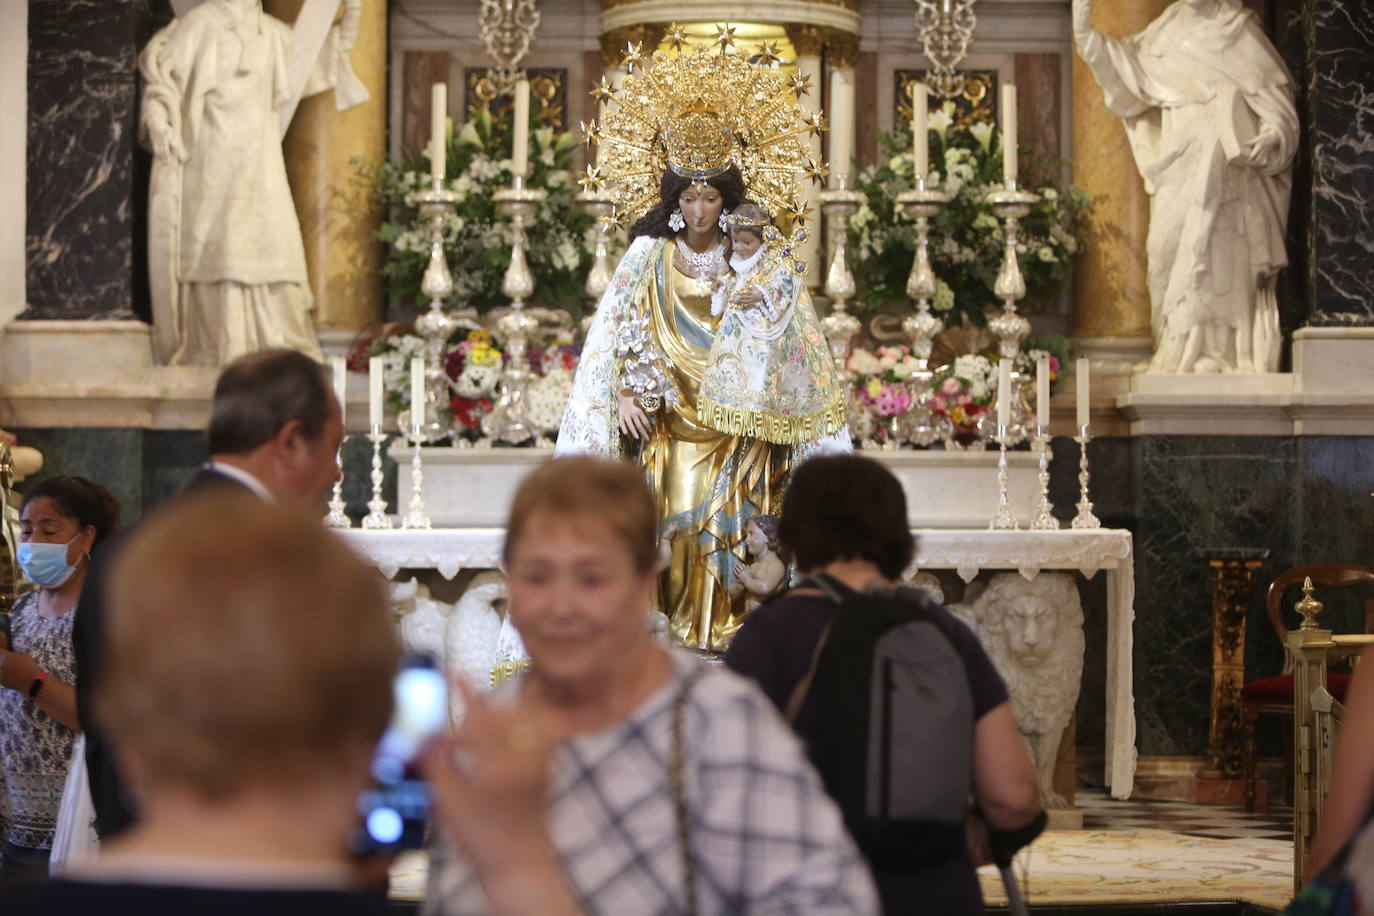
[774, 648]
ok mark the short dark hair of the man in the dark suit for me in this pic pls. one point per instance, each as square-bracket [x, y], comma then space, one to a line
[260, 393]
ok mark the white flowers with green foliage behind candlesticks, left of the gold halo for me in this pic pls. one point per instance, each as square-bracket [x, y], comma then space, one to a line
[477, 238]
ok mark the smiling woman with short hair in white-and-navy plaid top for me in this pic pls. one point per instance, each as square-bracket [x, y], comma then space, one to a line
[619, 777]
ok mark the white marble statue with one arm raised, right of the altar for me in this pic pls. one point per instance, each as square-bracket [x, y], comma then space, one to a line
[1208, 109]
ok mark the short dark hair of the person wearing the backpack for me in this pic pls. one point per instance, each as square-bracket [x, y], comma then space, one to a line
[844, 507]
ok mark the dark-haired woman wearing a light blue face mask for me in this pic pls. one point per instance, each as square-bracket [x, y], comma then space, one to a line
[61, 523]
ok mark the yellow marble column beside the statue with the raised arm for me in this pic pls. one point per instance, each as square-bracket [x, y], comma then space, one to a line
[1111, 297]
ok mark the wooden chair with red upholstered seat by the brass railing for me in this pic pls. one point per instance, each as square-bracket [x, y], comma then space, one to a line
[1274, 696]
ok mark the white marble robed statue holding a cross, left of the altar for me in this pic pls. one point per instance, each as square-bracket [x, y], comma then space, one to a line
[226, 260]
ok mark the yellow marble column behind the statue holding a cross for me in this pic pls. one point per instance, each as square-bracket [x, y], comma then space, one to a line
[343, 257]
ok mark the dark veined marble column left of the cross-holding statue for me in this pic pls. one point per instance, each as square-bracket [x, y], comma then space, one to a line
[86, 185]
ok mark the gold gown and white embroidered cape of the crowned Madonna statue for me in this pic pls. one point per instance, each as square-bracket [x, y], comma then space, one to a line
[710, 484]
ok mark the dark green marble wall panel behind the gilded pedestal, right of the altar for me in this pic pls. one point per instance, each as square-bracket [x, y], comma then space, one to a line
[1196, 494]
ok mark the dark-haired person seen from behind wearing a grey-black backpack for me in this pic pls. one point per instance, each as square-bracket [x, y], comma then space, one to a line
[866, 672]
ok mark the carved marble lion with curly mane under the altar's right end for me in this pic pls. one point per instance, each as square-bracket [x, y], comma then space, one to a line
[1034, 634]
